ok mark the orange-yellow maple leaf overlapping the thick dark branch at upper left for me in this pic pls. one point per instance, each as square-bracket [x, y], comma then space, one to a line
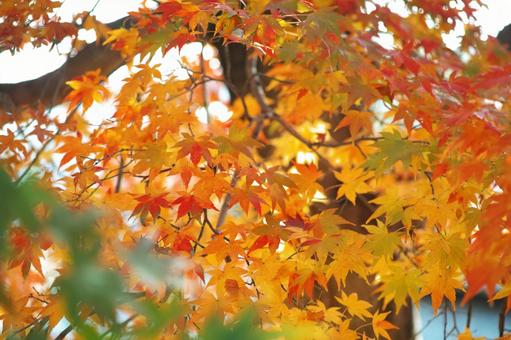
[87, 89]
